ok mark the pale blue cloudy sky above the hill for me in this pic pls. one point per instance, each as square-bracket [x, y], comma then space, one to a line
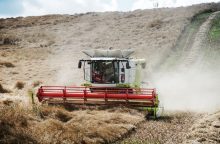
[14, 8]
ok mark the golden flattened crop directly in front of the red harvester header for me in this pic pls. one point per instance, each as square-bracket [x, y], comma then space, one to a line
[84, 126]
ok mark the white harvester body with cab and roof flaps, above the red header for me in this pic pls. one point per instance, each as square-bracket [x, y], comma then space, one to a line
[111, 68]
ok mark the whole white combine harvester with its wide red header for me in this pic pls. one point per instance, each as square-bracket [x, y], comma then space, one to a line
[112, 79]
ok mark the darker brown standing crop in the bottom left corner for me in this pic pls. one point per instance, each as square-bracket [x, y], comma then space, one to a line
[14, 124]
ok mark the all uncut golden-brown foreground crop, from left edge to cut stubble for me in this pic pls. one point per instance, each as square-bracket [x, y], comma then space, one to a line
[57, 125]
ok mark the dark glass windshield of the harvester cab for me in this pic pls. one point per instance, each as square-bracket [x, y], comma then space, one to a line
[105, 72]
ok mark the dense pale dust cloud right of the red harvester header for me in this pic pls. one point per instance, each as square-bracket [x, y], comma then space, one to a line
[191, 90]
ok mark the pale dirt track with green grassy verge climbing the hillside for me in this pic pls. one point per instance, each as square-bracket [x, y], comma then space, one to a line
[192, 46]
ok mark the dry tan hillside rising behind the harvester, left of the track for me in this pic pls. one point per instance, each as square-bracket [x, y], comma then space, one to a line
[41, 44]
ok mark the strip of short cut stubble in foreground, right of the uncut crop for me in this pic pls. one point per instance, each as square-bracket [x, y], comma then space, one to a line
[171, 128]
